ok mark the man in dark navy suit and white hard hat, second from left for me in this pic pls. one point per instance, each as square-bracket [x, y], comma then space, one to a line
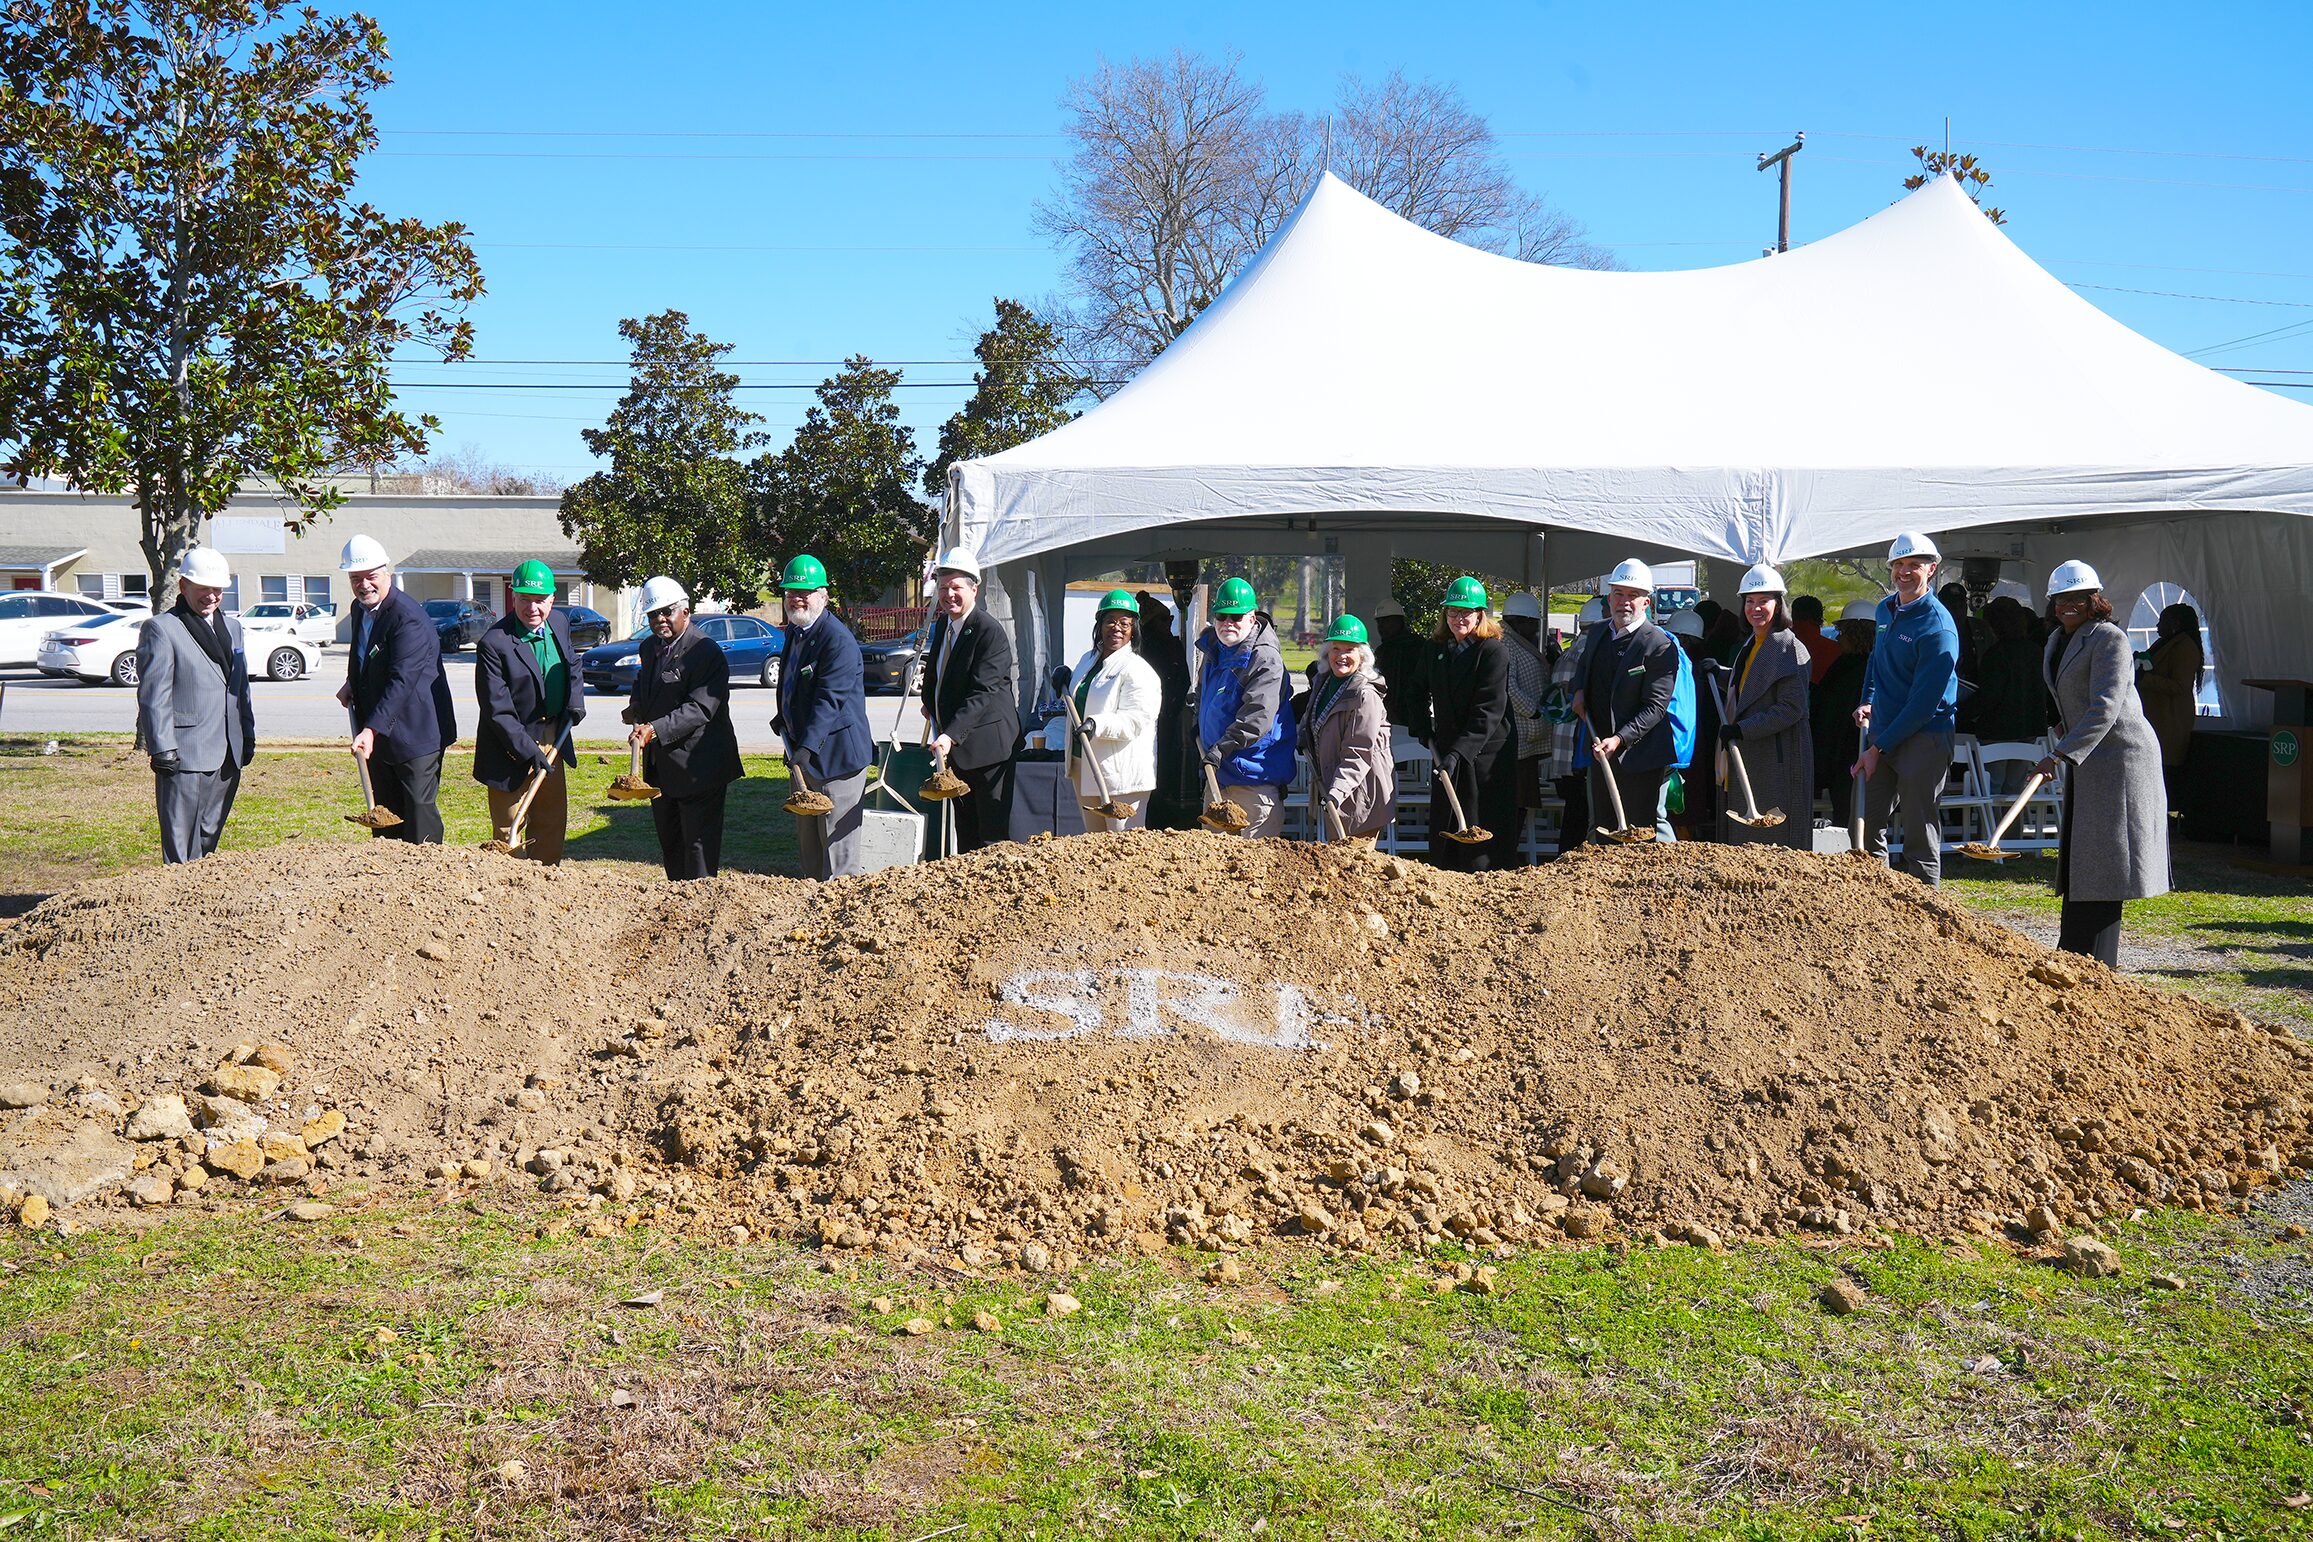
[404, 716]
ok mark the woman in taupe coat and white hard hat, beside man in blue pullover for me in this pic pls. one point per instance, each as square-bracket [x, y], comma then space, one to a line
[1766, 718]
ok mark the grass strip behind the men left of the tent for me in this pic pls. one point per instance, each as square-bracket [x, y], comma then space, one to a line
[89, 810]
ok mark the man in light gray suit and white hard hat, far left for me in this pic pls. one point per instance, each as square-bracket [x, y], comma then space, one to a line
[193, 709]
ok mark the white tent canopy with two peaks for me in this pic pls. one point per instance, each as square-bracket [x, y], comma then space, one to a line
[1909, 373]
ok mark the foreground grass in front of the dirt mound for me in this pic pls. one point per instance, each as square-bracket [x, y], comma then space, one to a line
[223, 1379]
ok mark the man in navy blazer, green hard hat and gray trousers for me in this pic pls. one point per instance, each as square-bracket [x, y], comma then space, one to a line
[825, 720]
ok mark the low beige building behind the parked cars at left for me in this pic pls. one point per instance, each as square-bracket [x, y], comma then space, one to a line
[443, 547]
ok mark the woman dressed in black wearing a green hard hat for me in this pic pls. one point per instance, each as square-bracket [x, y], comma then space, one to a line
[1470, 713]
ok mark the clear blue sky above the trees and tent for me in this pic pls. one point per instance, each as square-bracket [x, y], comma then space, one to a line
[827, 181]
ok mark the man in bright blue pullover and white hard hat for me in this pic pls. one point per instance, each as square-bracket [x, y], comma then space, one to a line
[1909, 711]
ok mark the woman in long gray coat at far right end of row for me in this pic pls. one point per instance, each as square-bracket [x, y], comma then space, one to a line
[2115, 808]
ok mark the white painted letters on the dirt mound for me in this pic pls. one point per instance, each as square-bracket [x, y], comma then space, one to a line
[1158, 1004]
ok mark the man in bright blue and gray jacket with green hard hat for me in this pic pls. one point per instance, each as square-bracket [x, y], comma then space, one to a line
[1243, 718]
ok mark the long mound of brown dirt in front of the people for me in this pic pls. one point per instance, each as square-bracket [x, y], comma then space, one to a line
[1121, 1041]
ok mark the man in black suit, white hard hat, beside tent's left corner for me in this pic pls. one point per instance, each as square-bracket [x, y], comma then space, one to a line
[970, 699]
